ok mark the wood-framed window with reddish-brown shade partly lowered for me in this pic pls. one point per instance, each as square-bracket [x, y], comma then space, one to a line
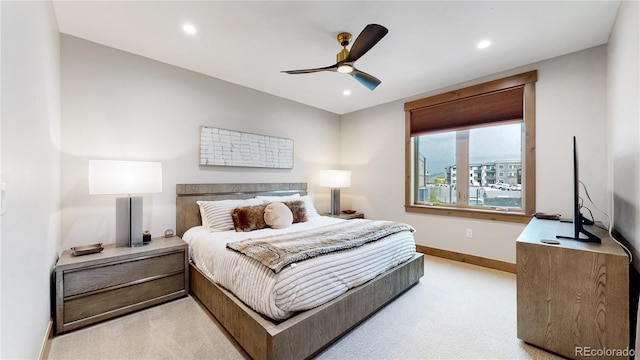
[487, 129]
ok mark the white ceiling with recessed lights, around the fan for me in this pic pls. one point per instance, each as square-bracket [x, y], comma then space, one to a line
[430, 44]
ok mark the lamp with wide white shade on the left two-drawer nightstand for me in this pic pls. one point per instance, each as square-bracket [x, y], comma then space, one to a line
[113, 177]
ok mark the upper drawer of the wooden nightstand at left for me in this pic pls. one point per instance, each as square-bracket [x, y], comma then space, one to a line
[101, 277]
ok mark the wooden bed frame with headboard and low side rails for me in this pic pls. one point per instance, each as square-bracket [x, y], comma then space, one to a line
[307, 333]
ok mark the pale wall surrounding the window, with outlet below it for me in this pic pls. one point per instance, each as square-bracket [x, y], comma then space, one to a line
[570, 100]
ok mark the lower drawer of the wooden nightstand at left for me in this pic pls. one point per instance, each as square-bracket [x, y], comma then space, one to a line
[81, 307]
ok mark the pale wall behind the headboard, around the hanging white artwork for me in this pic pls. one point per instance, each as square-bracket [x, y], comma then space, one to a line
[116, 105]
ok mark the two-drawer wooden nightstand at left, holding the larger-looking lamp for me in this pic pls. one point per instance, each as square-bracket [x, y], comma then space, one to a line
[118, 280]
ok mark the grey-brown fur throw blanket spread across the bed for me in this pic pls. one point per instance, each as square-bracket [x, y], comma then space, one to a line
[278, 251]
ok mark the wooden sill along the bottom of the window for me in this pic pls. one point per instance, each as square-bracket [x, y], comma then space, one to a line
[470, 213]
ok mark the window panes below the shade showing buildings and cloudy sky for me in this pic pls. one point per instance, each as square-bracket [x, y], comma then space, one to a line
[495, 167]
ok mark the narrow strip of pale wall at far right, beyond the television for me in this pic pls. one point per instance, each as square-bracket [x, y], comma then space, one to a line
[623, 96]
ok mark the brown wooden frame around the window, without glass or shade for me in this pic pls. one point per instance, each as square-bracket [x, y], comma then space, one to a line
[527, 82]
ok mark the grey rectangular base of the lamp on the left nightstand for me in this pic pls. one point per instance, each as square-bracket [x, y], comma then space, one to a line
[129, 221]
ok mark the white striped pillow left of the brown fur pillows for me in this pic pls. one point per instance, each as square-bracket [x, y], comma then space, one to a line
[216, 215]
